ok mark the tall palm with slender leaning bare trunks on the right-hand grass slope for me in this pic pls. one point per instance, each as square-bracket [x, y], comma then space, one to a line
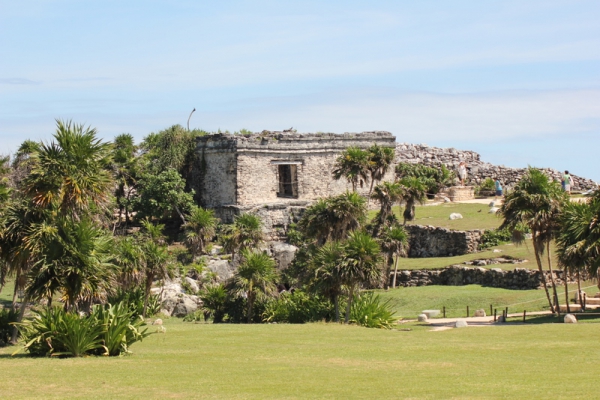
[535, 203]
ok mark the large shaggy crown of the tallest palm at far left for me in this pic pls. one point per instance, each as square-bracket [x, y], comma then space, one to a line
[70, 173]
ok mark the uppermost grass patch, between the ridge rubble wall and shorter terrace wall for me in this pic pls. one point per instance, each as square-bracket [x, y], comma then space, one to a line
[439, 215]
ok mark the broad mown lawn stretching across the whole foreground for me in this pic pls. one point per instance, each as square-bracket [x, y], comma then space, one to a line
[324, 361]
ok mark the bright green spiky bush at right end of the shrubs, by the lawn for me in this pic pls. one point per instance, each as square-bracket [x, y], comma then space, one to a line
[368, 310]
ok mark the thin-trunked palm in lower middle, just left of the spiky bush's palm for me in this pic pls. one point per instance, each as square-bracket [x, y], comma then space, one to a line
[326, 263]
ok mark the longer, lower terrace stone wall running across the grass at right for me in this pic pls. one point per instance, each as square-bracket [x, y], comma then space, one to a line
[457, 275]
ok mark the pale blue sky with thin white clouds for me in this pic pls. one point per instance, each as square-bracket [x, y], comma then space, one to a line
[516, 81]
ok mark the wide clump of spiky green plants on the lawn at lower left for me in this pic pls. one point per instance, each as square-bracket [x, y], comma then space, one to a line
[108, 330]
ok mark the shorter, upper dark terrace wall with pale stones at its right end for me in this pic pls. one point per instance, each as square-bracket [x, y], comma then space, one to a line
[431, 241]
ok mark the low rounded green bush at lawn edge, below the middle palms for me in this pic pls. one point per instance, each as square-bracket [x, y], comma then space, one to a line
[297, 308]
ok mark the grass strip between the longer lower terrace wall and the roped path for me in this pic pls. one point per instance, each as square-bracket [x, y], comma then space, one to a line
[409, 302]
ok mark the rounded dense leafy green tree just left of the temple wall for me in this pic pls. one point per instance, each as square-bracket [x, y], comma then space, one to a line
[162, 196]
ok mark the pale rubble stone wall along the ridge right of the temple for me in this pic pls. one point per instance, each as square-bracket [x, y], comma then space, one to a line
[478, 170]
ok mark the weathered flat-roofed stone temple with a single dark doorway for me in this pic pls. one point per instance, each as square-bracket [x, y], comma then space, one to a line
[274, 174]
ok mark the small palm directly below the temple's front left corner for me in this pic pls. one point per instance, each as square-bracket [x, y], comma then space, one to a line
[246, 232]
